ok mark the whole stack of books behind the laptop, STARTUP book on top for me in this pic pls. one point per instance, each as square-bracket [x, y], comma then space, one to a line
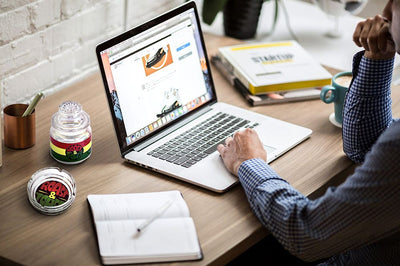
[273, 72]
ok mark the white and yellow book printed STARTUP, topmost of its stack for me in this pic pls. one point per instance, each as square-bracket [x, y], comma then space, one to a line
[274, 67]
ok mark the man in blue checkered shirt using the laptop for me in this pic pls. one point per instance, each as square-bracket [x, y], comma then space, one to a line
[357, 223]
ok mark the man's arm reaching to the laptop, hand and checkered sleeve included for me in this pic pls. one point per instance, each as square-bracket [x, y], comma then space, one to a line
[317, 229]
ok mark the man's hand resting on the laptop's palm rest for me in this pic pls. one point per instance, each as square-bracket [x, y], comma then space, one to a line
[243, 146]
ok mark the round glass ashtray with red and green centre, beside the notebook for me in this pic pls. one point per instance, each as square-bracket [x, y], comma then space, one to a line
[51, 190]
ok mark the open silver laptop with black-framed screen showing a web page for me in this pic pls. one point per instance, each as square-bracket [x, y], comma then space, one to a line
[164, 107]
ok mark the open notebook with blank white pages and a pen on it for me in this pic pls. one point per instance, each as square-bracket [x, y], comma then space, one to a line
[167, 232]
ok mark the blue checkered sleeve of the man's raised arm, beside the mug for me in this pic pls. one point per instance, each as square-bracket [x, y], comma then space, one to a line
[367, 112]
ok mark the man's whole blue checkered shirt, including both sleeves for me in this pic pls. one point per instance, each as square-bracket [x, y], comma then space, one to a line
[350, 224]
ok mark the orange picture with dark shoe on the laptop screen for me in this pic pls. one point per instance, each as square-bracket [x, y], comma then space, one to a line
[158, 60]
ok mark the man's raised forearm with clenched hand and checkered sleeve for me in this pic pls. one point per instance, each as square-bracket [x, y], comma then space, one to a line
[367, 110]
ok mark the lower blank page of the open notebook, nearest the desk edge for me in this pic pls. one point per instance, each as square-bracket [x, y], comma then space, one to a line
[164, 239]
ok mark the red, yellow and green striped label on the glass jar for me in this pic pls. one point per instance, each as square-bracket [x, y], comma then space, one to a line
[71, 152]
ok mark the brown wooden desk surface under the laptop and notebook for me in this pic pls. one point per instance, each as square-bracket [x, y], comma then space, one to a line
[225, 223]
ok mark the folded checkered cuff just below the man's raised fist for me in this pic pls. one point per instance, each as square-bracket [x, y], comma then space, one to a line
[372, 77]
